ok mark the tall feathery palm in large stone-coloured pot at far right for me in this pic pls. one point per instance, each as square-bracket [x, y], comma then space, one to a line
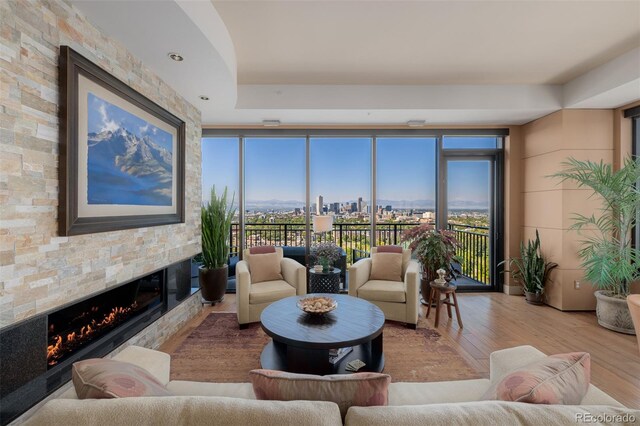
[610, 260]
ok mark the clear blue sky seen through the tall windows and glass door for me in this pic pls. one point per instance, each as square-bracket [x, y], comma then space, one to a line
[340, 169]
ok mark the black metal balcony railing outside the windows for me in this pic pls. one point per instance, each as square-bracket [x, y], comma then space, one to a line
[355, 239]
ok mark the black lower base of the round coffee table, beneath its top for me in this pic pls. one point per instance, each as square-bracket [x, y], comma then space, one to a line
[279, 356]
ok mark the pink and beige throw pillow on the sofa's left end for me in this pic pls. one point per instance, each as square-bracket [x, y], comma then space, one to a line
[107, 378]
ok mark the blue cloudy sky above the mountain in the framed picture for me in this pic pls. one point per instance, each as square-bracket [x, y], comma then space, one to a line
[105, 116]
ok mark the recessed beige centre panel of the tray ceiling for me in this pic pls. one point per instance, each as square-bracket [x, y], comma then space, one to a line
[426, 42]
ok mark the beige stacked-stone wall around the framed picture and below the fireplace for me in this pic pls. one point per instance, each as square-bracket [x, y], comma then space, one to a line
[40, 270]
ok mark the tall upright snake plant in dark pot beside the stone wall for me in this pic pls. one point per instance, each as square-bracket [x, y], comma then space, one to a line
[216, 224]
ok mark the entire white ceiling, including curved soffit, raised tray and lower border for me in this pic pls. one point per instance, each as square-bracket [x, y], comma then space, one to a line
[386, 62]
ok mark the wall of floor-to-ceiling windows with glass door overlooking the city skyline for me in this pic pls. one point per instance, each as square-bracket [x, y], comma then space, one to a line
[374, 185]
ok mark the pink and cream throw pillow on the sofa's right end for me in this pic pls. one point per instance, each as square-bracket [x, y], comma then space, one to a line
[557, 379]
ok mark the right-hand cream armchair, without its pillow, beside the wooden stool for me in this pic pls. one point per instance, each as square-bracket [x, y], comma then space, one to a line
[398, 300]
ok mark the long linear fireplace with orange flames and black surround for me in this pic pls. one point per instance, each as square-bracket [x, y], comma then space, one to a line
[36, 355]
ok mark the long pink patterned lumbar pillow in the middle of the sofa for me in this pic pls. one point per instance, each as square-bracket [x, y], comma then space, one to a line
[346, 390]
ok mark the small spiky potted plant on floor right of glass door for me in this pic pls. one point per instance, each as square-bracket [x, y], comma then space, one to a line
[532, 270]
